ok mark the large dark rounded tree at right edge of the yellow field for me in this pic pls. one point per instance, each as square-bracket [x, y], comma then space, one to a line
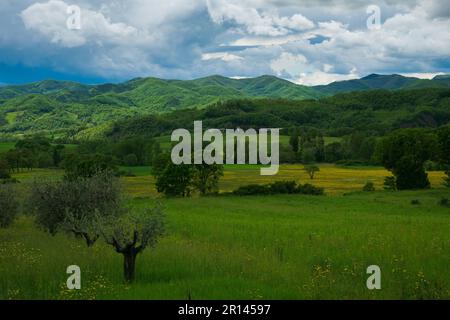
[404, 153]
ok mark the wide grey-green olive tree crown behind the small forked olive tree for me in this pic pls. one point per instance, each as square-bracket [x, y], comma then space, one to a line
[75, 206]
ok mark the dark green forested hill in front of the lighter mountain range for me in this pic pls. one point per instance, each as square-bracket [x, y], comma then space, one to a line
[374, 112]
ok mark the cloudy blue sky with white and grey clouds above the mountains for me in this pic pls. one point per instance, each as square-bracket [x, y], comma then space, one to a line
[304, 41]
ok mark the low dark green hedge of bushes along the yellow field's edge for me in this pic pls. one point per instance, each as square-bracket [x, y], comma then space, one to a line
[280, 187]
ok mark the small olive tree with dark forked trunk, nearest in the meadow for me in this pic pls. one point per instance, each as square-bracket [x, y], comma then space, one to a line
[132, 234]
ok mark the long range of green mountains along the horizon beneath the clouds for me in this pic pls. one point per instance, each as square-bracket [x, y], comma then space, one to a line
[61, 106]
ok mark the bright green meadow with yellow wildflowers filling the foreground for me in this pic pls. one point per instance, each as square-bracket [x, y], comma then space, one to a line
[278, 247]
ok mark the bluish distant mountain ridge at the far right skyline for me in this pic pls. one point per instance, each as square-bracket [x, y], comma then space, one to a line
[377, 81]
